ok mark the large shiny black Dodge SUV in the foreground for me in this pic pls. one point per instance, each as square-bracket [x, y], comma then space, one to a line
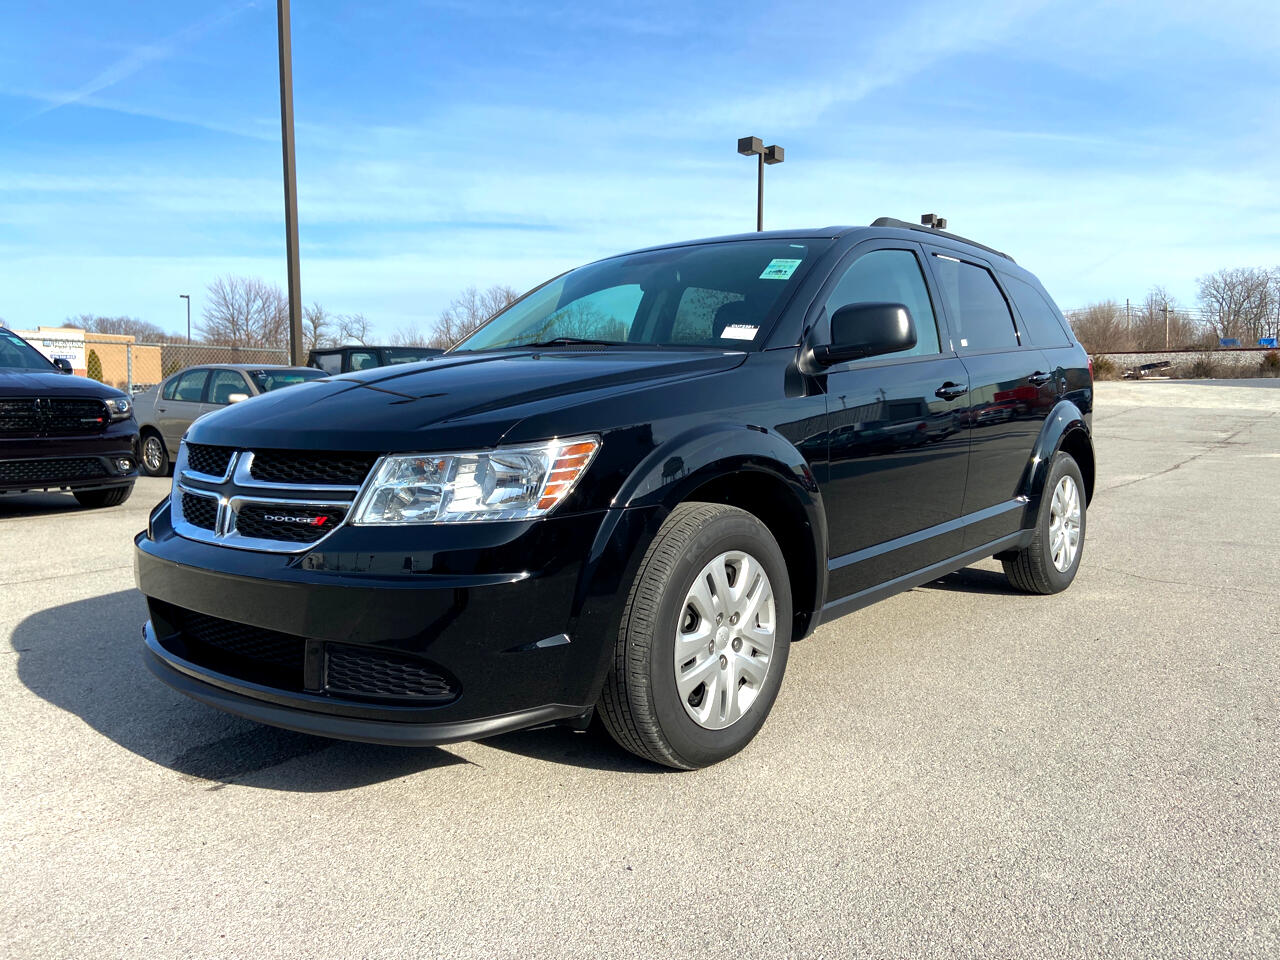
[628, 495]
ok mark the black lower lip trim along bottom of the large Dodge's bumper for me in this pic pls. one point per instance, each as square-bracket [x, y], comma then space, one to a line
[367, 732]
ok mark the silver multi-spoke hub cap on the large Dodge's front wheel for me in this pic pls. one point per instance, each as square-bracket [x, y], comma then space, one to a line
[725, 641]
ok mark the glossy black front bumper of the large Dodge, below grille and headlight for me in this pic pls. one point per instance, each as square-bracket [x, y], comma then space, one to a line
[499, 621]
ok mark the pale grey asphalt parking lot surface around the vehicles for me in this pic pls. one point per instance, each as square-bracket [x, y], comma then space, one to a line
[959, 771]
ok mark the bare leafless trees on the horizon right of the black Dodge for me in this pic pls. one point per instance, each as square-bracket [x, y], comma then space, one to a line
[1235, 303]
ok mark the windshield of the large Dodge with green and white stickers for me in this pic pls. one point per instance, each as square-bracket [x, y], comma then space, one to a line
[710, 295]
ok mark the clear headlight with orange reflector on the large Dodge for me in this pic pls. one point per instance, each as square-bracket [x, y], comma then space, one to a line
[510, 483]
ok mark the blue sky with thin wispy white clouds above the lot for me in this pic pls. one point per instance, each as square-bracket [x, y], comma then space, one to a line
[1109, 148]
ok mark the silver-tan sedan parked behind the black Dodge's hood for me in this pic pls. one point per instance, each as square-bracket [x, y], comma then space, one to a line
[166, 412]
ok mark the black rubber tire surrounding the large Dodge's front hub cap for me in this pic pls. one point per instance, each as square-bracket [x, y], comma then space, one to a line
[641, 705]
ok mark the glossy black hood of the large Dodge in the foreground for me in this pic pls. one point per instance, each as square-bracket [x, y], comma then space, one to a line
[450, 403]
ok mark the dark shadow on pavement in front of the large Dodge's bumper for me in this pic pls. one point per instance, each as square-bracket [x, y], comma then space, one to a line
[86, 659]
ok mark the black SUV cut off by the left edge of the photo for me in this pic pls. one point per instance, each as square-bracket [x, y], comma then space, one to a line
[63, 433]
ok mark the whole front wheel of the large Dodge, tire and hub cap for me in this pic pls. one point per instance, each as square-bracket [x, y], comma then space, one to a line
[705, 639]
